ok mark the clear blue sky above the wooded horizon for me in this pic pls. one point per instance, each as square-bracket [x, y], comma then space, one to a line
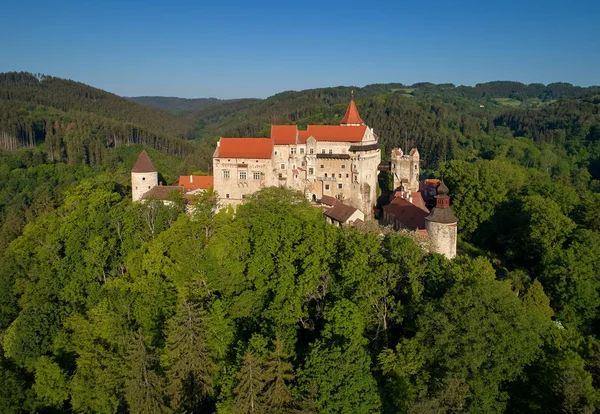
[230, 49]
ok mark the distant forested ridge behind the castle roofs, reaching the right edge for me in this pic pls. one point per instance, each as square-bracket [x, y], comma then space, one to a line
[327, 105]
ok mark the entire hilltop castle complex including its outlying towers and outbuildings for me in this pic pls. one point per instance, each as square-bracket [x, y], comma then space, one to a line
[337, 163]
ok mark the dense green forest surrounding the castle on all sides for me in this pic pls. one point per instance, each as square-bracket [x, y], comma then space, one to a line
[109, 306]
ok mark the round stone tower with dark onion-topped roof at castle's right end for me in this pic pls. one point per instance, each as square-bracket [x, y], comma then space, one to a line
[441, 224]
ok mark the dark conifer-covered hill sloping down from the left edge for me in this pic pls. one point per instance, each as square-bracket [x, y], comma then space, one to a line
[77, 122]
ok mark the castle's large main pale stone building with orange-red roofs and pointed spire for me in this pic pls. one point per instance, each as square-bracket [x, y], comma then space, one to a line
[323, 160]
